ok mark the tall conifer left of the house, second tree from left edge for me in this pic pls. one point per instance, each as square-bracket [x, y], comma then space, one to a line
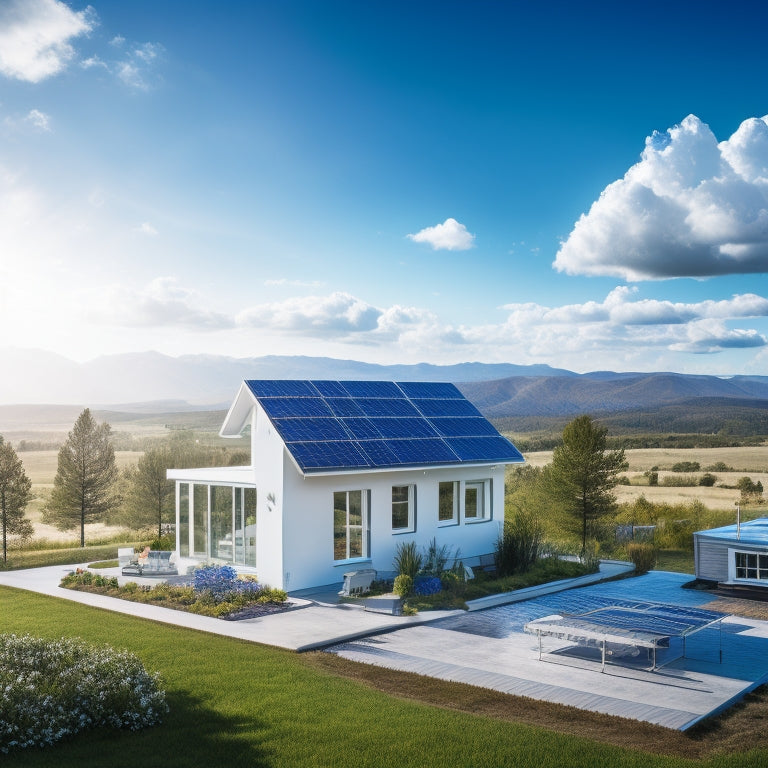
[83, 489]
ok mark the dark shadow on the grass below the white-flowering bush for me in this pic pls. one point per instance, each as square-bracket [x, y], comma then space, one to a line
[191, 735]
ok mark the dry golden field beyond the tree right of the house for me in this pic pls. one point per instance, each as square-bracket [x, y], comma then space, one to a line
[746, 461]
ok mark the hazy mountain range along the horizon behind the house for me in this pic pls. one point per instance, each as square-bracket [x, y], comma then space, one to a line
[152, 382]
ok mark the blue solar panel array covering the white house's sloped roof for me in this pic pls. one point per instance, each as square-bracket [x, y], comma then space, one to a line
[338, 425]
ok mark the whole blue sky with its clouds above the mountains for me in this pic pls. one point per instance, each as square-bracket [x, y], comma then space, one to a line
[583, 185]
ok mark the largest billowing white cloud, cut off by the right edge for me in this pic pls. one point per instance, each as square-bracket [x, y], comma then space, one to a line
[690, 207]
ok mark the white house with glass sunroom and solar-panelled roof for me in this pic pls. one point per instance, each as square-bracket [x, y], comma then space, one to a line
[341, 472]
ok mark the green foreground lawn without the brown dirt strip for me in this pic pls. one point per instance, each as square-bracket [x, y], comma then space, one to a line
[239, 704]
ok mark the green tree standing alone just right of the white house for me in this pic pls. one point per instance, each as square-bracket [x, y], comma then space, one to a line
[583, 474]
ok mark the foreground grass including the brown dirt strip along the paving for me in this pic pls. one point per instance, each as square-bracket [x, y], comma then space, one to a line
[242, 704]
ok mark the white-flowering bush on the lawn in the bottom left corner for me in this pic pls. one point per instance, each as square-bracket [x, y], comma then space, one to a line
[52, 689]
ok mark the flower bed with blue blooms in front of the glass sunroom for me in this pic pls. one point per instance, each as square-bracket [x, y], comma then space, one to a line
[216, 591]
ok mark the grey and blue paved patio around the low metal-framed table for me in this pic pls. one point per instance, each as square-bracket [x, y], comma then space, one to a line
[490, 650]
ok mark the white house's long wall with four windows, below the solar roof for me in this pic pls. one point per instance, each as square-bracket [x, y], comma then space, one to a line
[308, 520]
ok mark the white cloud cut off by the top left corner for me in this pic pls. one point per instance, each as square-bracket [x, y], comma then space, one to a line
[35, 37]
